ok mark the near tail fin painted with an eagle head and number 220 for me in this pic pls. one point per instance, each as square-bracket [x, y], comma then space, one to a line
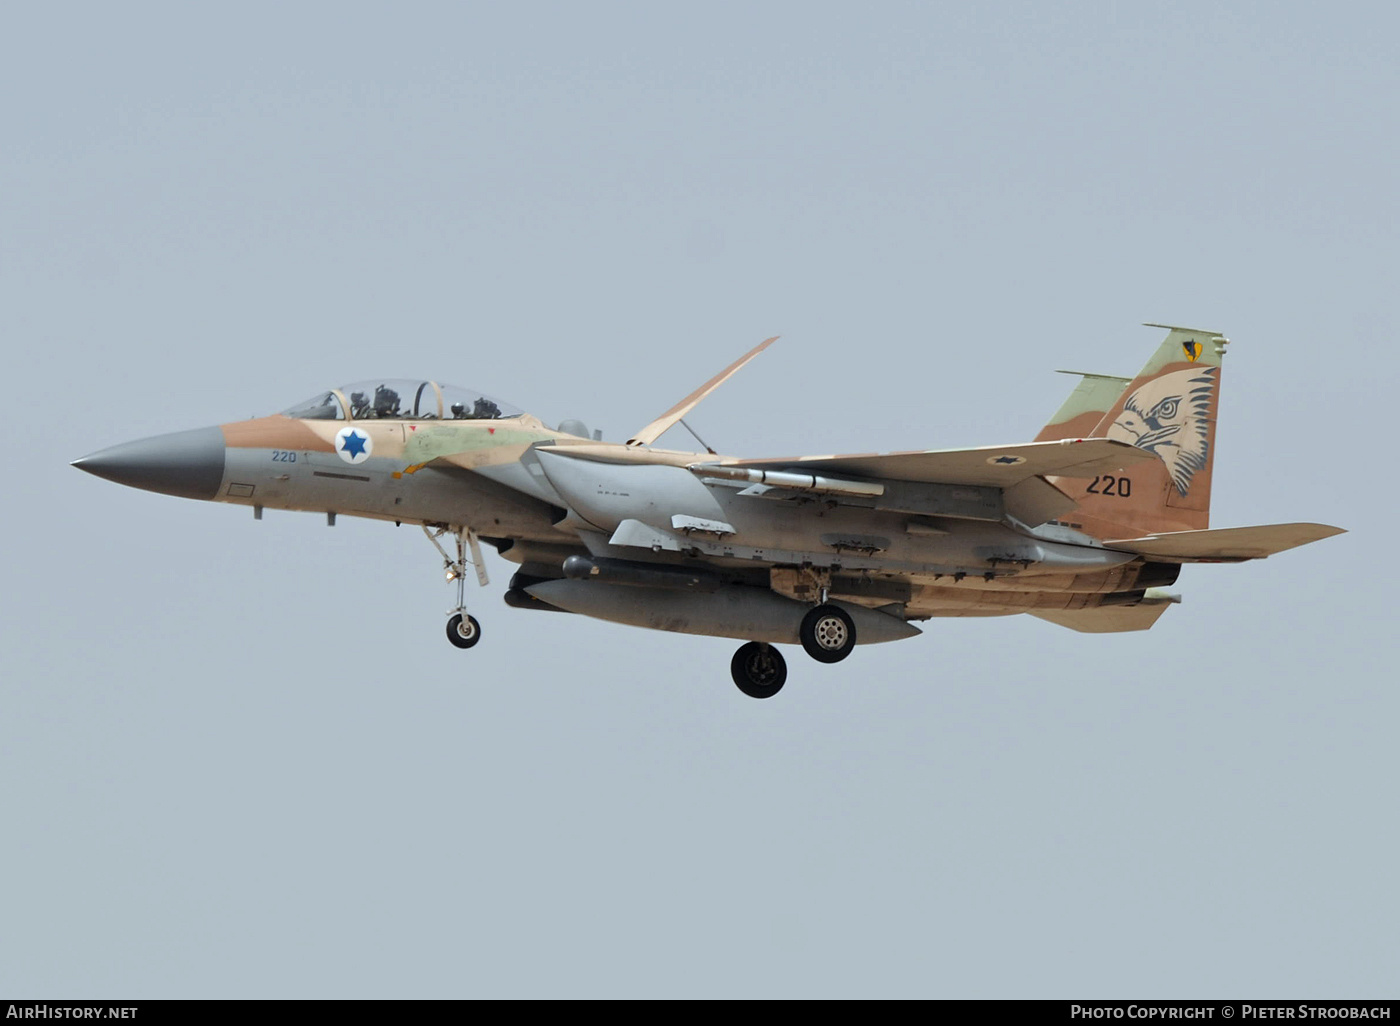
[1170, 409]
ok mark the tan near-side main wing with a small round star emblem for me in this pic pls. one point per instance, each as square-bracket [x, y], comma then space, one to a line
[997, 467]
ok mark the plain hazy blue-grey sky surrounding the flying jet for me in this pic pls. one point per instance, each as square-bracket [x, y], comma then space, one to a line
[240, 759]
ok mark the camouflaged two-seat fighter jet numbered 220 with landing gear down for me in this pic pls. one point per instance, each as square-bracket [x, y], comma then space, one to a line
[1086, 527]
